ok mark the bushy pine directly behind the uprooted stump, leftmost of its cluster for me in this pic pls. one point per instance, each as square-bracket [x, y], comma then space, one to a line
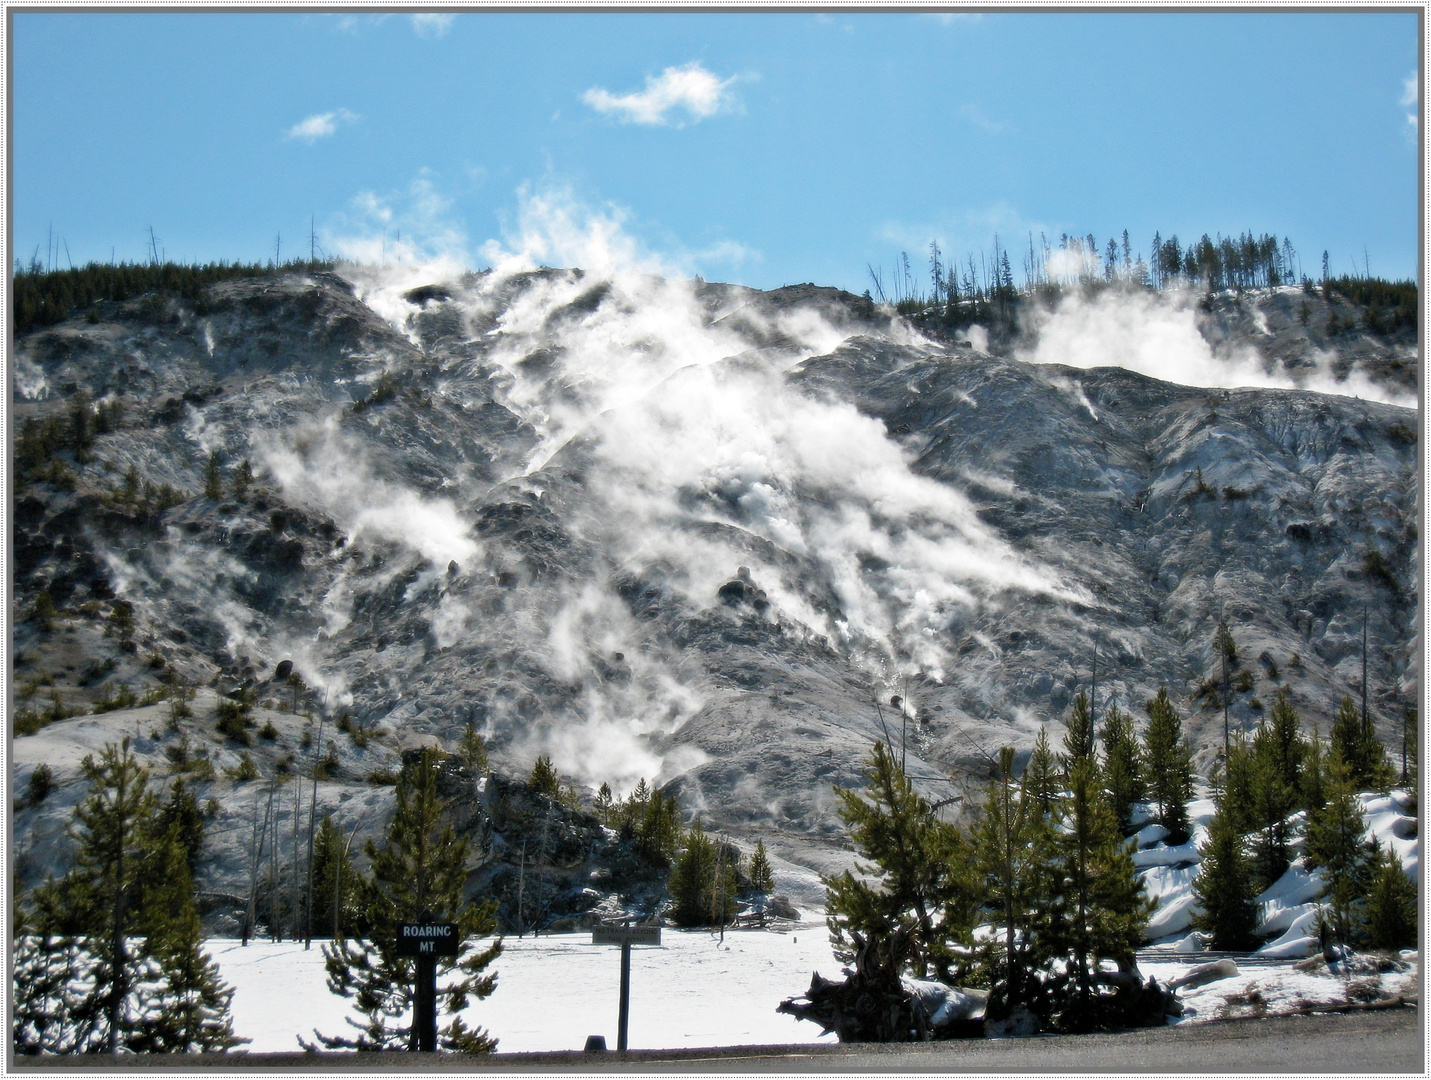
[915, 880]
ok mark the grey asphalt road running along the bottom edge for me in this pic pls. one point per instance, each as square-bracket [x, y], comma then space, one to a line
[1387, 1042]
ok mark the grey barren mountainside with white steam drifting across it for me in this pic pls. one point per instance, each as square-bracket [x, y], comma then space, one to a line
[696, 534]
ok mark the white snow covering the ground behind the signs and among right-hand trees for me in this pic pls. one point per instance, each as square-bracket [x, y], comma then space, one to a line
[696, 991]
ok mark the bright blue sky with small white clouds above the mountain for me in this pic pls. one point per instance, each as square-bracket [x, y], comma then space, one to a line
[742, 147]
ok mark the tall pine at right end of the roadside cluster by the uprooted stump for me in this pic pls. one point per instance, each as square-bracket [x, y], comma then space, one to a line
[1103, 912]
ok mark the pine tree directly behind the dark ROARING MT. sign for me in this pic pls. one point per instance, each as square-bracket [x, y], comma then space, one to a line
[417, 875]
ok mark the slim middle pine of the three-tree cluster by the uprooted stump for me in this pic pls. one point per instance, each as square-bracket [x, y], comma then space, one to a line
[1012, 848]
